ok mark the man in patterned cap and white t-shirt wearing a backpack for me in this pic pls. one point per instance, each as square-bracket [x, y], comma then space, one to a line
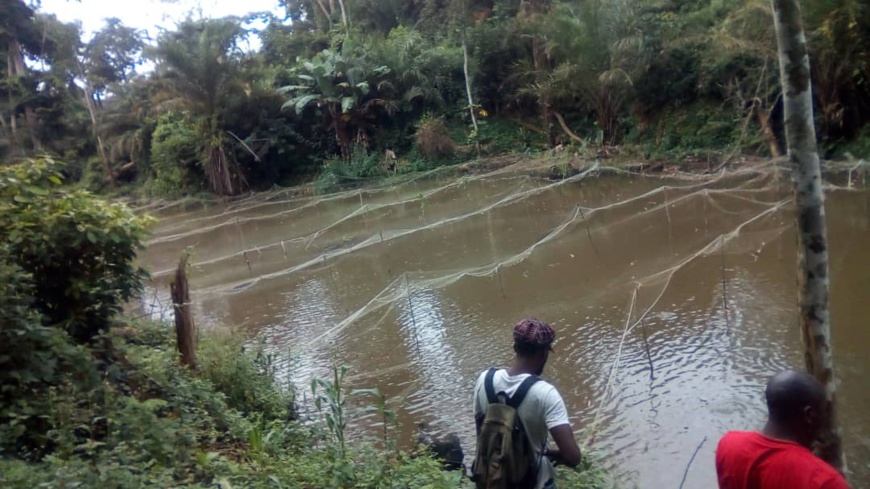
[515, 411]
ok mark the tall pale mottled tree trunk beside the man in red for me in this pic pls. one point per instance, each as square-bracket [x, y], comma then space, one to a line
[809, 202]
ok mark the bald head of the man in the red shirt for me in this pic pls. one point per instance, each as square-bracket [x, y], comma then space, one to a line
[796, 404]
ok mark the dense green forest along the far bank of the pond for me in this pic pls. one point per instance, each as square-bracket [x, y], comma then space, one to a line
[355, 88]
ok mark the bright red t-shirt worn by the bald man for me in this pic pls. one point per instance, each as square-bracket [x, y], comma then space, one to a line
[750, 460]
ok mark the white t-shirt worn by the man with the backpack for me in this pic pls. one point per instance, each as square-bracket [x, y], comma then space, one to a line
[542, 410]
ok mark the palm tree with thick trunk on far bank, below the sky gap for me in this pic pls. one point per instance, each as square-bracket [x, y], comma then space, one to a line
[200, 66]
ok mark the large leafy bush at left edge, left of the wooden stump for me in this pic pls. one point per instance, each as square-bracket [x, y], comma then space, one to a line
[79, 250]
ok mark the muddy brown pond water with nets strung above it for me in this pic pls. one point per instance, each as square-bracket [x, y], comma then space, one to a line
[415, 286]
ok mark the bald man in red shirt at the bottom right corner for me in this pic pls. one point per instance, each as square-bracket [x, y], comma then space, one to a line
[779, 457]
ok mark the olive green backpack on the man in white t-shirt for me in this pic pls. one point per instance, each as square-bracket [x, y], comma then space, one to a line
[505, 458]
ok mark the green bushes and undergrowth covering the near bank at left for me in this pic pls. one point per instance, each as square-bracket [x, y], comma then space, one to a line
[92, 399]
